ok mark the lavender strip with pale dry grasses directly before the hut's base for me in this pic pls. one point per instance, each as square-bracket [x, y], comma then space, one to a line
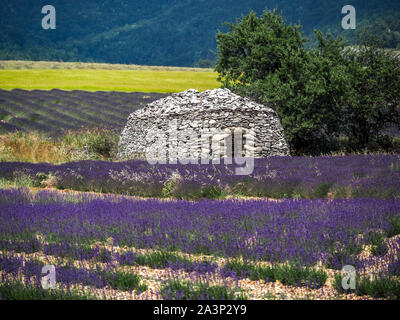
[355, 176]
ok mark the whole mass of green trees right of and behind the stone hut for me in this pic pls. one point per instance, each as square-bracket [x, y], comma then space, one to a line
[319, 94]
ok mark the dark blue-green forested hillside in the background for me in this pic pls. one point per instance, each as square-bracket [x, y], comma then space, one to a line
[168, 32]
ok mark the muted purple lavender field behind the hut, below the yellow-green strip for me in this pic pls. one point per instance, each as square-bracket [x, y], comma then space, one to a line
[55, 111]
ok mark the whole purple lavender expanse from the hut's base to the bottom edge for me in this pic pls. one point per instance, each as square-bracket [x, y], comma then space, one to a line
[328, 212]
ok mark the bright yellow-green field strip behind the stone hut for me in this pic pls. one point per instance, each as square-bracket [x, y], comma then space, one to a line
[108, 80]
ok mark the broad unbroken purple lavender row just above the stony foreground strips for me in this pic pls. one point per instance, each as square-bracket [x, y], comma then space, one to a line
[303, 231]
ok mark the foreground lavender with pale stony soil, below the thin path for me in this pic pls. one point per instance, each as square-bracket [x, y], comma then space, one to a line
[123, 248]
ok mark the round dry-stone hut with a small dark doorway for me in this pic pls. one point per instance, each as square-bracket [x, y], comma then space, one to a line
[174, 127]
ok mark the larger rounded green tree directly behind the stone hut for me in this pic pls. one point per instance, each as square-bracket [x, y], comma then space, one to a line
[265, 59]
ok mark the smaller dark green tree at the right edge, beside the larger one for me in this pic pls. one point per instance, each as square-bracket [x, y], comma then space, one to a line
[373, 101]
